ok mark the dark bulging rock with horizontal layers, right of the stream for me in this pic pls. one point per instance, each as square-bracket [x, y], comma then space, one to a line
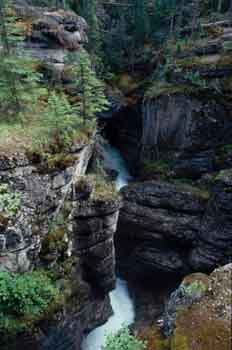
[173, 229]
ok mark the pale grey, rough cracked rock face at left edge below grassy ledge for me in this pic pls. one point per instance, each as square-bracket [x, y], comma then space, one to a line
[39, 193]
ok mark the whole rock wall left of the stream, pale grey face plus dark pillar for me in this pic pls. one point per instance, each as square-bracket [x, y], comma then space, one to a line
[88, 236]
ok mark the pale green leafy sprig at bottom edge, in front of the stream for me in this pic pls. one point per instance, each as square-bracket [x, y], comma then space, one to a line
[123, 340]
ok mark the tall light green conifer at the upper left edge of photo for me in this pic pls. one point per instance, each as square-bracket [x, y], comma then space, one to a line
[18, 78]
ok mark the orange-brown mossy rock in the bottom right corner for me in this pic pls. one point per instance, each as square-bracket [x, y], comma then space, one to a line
[206, 324]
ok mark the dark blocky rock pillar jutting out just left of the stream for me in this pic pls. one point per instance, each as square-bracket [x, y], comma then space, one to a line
[94, 225]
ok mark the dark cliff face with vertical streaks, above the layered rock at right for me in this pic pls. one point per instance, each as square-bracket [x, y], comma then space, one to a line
[186, 129]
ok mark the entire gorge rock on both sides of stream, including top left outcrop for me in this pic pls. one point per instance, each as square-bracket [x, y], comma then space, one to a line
[172, 220]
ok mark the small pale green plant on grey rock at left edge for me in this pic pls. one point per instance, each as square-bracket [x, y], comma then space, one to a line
[9, 202]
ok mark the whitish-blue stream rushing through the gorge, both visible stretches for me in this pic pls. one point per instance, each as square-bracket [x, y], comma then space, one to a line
[121, 302]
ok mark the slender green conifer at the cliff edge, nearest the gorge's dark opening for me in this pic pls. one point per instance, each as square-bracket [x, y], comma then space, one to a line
[91, 95]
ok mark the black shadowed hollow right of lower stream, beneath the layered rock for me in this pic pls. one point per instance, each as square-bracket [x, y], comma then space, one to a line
[149, 292]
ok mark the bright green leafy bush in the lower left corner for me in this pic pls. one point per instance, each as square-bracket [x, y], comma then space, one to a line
[25, 299]
